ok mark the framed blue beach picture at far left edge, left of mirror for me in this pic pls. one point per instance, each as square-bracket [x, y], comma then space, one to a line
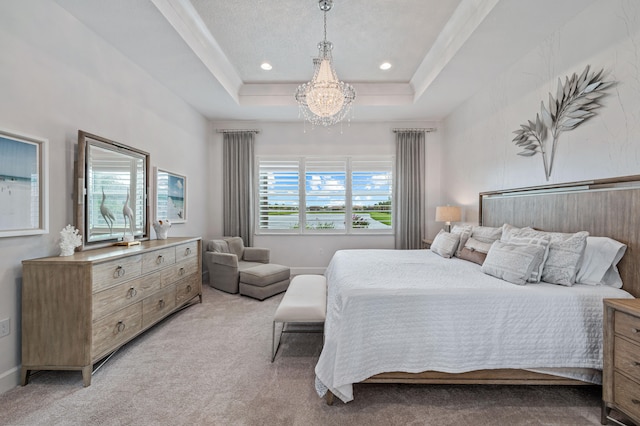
[23, 185]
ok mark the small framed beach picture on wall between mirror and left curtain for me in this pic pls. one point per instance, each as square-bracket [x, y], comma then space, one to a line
[171, 196]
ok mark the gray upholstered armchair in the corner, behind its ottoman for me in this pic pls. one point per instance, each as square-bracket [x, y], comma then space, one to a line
[227, 257]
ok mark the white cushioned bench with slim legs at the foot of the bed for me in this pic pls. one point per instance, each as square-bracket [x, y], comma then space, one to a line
[304, 302]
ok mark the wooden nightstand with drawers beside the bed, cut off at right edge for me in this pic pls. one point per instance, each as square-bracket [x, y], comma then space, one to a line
[621, 372]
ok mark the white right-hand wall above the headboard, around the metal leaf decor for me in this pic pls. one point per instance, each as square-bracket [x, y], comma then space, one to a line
[480, 155]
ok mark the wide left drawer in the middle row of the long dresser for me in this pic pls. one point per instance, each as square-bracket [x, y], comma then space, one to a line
[121, 295]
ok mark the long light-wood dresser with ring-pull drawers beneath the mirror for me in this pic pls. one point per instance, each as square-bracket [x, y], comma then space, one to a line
[78, 309]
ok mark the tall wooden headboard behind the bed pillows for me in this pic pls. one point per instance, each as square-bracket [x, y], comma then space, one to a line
[604, 207]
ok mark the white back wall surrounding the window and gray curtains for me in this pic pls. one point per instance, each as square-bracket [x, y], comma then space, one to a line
[311, 253]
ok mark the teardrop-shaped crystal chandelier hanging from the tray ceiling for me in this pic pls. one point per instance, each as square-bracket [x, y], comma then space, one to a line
[325, 100]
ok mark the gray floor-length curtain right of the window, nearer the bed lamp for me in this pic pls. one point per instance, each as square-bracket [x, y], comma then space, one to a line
[409, 215]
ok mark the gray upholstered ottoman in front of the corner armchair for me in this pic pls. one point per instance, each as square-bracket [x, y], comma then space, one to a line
[264, 281]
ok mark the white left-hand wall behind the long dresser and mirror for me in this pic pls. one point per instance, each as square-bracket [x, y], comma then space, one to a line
[57, 77]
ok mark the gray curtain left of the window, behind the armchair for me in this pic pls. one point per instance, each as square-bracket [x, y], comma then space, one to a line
[238, 183]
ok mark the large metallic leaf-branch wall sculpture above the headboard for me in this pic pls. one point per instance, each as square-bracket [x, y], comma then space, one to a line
[574, 103]
